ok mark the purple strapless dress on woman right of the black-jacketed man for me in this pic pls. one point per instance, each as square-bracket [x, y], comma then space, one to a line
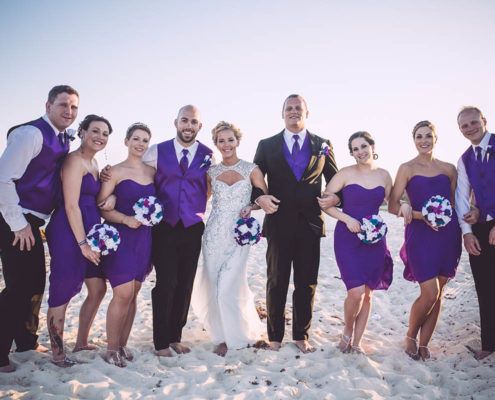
[360, 263]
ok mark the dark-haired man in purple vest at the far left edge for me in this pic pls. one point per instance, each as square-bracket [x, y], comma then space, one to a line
[29, 190]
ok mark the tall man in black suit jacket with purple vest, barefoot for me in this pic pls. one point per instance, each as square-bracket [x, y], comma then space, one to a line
[294, 161]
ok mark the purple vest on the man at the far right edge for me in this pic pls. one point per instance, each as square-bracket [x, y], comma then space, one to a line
[482, 179]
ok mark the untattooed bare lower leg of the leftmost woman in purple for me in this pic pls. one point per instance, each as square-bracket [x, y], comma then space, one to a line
[96, 291]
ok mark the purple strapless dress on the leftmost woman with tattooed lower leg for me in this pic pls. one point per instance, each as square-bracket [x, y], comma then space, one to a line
[68, 266]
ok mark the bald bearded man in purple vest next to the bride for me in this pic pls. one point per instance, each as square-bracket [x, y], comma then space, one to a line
[180, 180]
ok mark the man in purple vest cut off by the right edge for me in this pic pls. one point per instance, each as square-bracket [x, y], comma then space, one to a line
[476, 175]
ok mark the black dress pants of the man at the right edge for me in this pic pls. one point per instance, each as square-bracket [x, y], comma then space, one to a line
[483, 268]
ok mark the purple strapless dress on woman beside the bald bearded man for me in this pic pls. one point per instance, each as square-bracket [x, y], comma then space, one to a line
[132, 260]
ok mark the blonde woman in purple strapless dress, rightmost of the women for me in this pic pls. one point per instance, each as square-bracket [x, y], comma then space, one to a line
[430, 254]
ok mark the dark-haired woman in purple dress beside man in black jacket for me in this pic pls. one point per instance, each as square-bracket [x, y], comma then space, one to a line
[363, 267]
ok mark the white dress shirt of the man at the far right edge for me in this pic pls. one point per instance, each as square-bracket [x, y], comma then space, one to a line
[463, 190]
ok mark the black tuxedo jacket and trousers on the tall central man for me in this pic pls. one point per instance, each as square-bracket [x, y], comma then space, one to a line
[293, 232]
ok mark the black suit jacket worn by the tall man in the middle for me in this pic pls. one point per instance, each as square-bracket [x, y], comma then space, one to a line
[295, 197]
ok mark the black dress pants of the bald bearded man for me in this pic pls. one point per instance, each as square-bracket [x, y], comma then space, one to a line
[175, 256]
